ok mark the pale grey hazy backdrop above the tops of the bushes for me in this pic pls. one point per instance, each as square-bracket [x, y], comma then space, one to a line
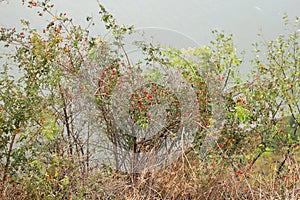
[193, 18]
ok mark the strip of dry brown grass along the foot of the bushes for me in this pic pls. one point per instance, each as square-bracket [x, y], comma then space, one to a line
[188, 178]
